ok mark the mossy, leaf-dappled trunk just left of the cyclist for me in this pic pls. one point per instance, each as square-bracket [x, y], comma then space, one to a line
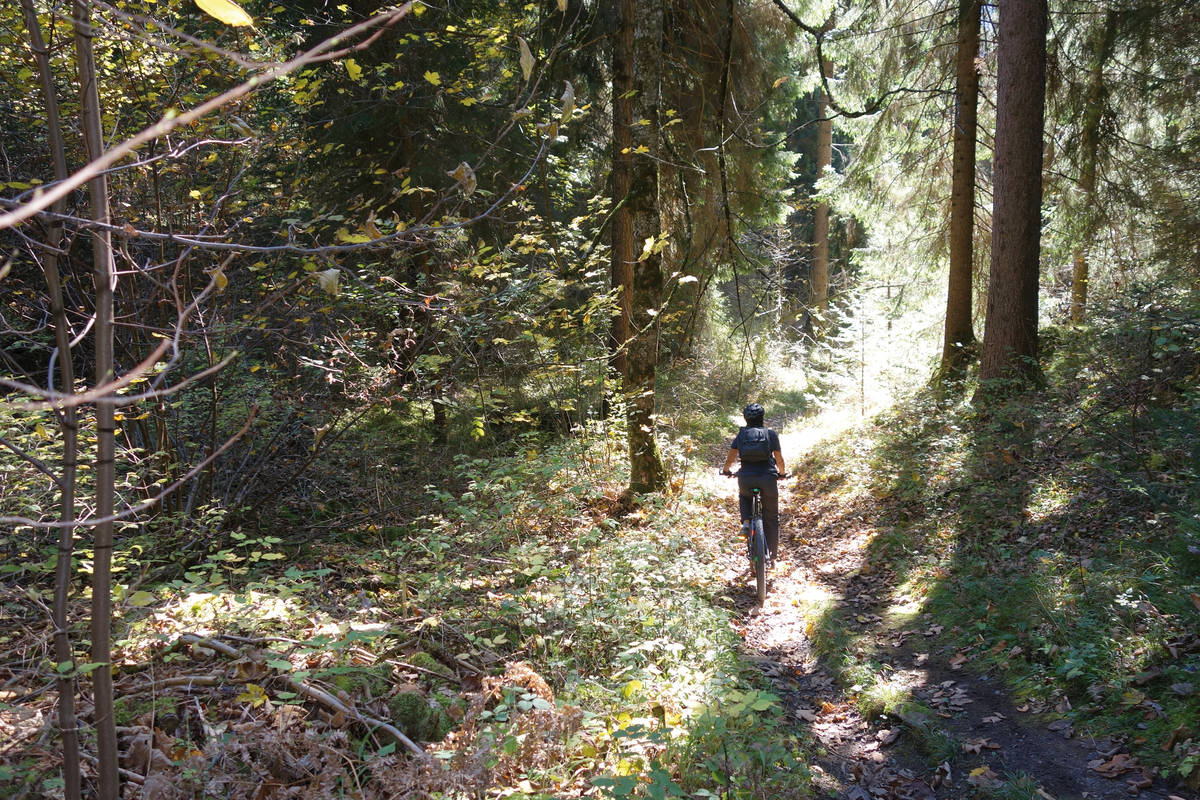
[646, 473]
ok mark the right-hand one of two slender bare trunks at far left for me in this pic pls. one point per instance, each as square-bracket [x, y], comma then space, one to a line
[104, 278]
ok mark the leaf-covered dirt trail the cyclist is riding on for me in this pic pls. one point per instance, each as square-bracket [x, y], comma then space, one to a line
[975, 742]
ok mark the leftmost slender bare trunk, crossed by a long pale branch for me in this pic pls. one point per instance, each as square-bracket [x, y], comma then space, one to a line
[68, 418]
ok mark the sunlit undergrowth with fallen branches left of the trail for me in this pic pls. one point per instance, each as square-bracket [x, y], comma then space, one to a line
[539, 637]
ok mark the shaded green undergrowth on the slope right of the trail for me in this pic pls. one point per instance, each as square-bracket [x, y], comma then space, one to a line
[1055, 534]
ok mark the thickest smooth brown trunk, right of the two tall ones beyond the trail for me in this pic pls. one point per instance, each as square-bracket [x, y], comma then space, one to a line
[1011, 334]
